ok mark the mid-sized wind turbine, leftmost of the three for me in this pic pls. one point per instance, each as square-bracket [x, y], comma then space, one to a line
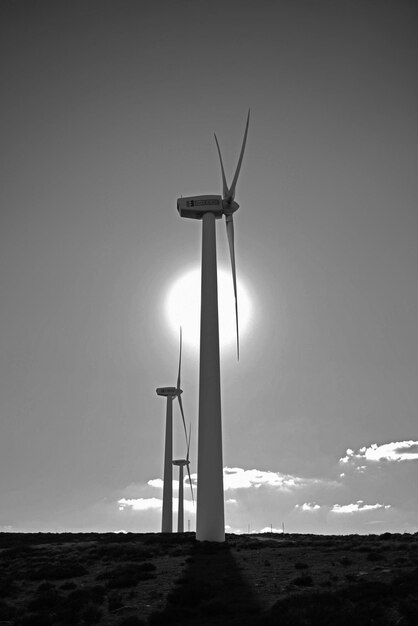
[170, 393]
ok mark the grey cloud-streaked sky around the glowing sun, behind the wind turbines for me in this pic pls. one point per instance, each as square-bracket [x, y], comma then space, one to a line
[108, 111]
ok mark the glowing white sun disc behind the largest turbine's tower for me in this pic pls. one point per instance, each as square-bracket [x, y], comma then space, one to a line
[183, 307]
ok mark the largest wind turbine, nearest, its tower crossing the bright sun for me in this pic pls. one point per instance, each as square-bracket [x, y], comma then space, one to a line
[210, 520]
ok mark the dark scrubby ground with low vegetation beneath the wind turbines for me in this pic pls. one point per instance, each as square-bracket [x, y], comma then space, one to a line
[152, 579]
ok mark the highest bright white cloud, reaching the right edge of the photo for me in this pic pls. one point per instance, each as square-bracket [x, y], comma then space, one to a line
[394, 451]
